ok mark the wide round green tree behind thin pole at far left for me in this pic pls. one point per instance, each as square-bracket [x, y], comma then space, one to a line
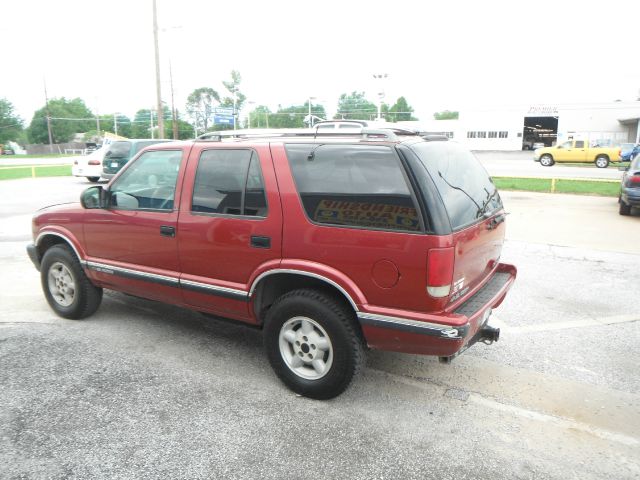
[68, 117]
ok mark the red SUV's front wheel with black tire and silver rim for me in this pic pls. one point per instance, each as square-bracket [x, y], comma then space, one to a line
[66, 287]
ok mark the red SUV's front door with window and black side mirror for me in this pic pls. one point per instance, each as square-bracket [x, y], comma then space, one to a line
[132, 243]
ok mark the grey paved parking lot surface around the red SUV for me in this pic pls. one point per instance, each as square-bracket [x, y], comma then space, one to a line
[144, 390]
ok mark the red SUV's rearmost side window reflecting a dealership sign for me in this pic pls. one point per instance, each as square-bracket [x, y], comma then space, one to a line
[361, 186]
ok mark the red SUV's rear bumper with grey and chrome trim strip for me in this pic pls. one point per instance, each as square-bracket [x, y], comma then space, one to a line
[449, 333]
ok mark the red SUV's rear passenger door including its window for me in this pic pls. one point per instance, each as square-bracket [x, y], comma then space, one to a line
[230, 226]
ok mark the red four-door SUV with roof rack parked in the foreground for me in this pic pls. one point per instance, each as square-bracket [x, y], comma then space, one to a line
[329, 244]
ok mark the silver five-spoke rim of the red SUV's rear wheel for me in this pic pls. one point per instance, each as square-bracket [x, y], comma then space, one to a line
[306, 348]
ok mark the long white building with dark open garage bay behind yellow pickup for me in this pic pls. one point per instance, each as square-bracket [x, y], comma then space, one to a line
[519, 127]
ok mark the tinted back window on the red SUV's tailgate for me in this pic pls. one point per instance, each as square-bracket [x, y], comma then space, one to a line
[465, 187]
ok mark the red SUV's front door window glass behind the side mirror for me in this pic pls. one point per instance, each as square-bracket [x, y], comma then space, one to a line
[149, 183]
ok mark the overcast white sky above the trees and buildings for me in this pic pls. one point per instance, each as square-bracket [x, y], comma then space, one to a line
[452, 55]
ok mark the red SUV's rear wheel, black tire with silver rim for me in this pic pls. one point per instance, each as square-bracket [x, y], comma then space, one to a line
[331, 322]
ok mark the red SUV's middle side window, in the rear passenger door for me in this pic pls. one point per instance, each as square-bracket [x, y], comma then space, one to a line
[229, 182]
